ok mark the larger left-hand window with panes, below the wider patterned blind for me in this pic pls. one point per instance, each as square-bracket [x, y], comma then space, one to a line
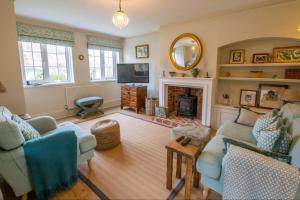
[45, 63]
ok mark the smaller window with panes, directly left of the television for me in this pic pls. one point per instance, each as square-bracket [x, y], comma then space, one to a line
[103, 63]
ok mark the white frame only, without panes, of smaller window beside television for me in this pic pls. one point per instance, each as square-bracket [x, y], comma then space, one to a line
[102, 64]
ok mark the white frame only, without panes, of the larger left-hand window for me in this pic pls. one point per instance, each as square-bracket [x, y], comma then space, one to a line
[45, 66]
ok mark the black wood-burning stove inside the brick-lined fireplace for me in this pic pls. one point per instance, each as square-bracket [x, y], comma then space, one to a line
[187, 104]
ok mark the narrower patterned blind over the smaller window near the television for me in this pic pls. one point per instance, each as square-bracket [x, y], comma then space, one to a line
[99, 43]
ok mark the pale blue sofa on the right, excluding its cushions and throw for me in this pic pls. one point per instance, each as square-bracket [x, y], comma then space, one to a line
[209, 163]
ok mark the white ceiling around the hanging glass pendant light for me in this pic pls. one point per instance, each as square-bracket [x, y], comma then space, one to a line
[145, 15]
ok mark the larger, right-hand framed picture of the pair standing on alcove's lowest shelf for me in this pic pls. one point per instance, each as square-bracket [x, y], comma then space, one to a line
[270, 95]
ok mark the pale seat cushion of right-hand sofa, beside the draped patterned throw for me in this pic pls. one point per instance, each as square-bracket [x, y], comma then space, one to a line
[237, 131]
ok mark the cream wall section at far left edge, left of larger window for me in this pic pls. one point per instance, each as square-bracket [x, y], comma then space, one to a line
[10, 71]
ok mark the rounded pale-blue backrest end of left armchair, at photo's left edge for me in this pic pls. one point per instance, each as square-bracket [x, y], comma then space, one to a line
[10, 136]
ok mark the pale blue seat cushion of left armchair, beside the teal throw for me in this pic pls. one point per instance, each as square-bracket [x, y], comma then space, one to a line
[85, 139]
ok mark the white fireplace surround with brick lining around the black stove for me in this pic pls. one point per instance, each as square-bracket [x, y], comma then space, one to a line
[204, 87]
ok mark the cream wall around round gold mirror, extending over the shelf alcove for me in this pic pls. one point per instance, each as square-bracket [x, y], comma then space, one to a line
[273, 21]
